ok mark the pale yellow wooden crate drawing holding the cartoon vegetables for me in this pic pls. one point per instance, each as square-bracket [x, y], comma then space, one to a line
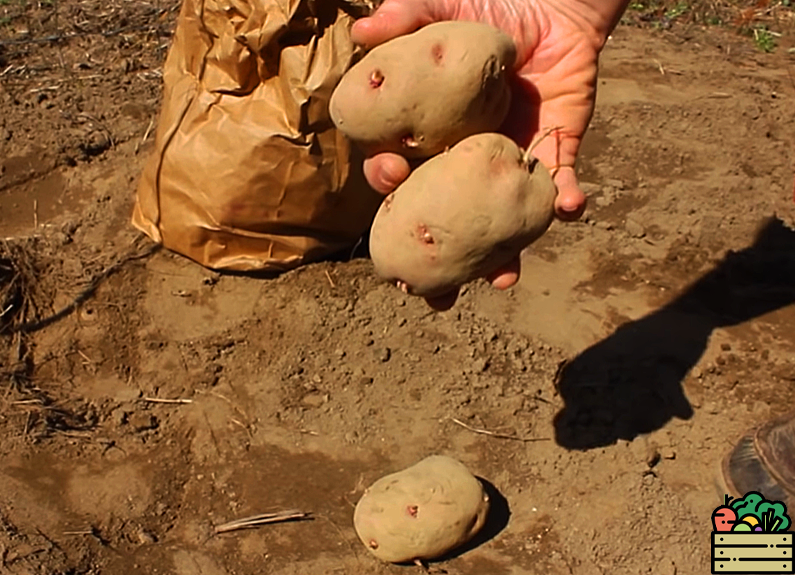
[752, 553]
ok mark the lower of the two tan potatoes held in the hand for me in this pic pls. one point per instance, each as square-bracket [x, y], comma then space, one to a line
[461, 215]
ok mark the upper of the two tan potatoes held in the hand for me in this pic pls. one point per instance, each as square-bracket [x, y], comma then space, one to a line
[423, 92]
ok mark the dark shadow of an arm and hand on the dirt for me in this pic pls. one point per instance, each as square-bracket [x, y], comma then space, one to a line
[631, 383]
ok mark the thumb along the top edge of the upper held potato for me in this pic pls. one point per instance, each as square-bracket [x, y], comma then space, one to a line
[392, 19]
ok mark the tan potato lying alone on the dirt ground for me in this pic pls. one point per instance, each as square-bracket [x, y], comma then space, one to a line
[422, 512]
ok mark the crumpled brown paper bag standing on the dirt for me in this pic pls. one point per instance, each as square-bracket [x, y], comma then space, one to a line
[248, 171]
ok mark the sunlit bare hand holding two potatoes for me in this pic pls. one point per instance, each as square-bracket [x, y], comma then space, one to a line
[558, 43]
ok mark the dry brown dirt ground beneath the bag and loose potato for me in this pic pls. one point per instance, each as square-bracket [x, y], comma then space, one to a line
[639, 344]
